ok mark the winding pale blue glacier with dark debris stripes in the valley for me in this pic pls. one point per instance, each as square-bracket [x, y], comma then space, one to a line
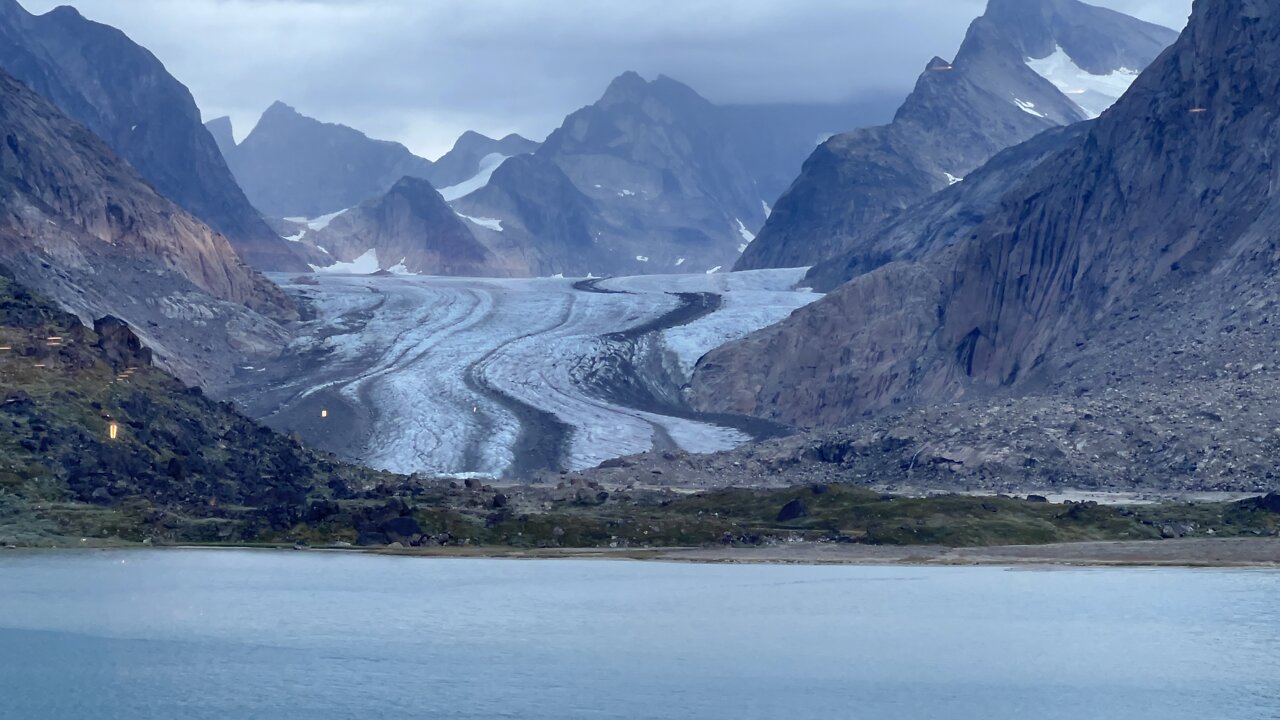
[463, 376]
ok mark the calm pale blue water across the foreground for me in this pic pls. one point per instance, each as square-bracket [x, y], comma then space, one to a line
[231, 636]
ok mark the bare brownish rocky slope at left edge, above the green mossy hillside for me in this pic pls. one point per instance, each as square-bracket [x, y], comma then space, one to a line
[83, 226]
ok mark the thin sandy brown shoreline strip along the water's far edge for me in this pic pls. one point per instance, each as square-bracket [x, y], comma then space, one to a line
[1261, 554]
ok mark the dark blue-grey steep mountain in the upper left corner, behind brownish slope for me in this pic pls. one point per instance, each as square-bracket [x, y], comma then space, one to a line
[122, 93]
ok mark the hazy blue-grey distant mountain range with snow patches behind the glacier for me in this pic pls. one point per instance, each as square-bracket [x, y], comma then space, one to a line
[668, 183]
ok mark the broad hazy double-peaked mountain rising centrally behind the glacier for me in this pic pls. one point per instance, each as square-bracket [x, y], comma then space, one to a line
[664, 185]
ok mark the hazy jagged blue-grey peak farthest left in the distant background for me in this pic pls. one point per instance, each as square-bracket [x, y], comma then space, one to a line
[296, 167]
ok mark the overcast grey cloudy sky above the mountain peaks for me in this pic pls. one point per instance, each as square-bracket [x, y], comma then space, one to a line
[424, 71]
